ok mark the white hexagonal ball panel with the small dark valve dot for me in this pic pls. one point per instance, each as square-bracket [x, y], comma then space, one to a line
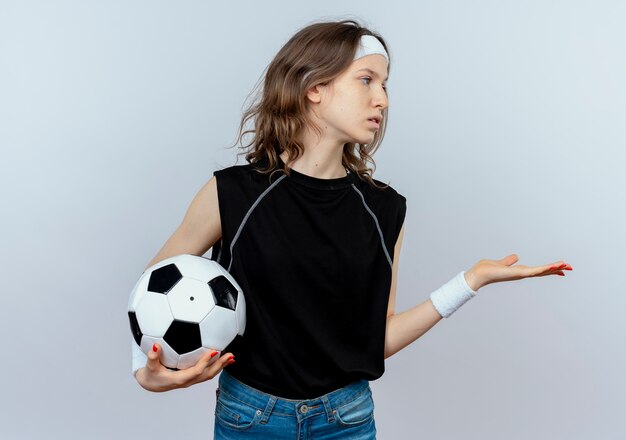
[191, 300]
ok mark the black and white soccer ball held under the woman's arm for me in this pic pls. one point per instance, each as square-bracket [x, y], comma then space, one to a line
[188, 305]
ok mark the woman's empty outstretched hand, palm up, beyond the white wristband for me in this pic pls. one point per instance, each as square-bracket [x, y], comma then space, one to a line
[494, 271]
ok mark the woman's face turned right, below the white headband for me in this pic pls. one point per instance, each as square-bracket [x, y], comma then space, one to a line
[348, 104]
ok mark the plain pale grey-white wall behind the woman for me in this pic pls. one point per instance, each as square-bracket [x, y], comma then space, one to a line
[506, 135]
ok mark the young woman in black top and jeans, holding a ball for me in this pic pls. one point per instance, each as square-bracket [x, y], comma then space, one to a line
[313, 240]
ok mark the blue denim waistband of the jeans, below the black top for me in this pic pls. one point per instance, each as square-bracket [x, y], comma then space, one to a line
[273, 404]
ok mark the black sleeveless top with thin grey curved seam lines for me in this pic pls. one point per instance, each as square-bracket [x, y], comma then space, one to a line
[313, 258]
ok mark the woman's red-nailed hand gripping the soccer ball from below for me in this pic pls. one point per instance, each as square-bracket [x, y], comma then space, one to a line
[156, 377]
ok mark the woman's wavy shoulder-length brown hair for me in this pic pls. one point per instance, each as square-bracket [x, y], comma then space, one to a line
[316, 54]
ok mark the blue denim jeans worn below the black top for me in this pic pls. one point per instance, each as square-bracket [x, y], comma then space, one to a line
[242, 412]
